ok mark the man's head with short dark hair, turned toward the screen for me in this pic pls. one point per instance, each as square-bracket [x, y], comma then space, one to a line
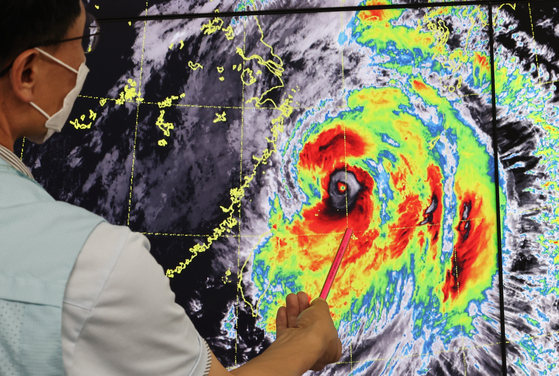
[33, 76]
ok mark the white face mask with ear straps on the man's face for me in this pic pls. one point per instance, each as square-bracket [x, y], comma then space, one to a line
[56, 122]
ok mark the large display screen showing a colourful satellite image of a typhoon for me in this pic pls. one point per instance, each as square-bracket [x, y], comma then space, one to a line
[244, 137]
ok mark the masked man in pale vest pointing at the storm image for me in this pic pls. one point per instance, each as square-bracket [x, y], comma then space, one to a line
[77, 295]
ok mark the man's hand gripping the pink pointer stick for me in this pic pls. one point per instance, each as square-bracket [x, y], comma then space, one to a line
[314, 319]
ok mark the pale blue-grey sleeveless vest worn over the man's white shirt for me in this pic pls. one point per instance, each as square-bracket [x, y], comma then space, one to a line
[40, 239]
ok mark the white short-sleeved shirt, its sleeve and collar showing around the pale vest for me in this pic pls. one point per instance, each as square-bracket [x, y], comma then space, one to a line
[119, 315]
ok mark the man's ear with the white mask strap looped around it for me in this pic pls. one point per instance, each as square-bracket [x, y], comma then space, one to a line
[23, 75]
